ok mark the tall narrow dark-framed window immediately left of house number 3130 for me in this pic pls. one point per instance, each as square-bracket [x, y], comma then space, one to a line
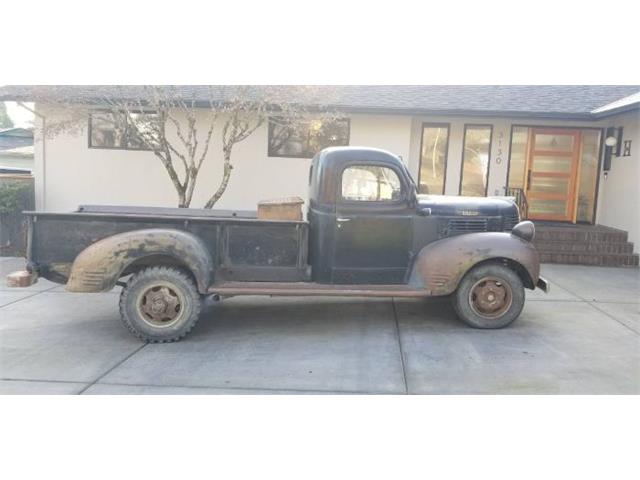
[475, 160]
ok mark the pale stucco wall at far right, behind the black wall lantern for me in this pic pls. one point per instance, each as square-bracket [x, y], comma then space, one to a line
[619, 197]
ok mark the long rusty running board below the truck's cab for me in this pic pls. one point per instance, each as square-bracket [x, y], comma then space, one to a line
[292, 289]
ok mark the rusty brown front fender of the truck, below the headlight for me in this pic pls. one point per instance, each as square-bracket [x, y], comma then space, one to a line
[440, 266]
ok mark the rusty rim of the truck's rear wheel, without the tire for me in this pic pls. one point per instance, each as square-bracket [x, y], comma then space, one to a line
[161, 305]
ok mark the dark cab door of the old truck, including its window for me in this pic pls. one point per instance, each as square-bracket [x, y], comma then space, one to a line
[372, 227]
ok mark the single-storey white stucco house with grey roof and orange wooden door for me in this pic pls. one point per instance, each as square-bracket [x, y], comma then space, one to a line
[569, 154]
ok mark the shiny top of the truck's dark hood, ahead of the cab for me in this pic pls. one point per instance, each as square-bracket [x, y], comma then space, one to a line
[468, 206]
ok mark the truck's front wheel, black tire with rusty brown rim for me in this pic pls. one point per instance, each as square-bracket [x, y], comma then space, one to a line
[489, 296]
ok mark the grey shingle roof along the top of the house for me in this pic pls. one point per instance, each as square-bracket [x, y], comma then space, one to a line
[568, 101]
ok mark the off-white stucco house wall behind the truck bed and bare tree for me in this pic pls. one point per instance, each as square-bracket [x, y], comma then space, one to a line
[69, 173]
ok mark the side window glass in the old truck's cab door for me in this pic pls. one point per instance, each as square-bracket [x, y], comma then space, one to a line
[364, 183]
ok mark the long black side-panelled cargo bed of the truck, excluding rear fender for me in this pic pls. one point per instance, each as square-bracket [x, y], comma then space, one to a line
[241, 246]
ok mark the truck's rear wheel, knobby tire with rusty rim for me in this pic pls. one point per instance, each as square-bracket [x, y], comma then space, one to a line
[160, 304]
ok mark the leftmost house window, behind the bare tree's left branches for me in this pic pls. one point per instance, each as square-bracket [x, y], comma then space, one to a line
[111, 130]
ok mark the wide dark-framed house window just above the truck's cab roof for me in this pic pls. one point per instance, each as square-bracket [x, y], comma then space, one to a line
[305, 139]
